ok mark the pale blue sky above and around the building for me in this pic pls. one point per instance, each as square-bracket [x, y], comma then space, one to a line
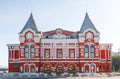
[52, 14]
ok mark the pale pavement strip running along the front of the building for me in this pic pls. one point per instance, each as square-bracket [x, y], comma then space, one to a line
[107, 76]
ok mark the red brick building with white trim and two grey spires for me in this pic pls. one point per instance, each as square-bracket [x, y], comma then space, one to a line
[60, 51]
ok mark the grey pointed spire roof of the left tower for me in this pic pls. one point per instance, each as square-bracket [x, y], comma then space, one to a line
[30, 24]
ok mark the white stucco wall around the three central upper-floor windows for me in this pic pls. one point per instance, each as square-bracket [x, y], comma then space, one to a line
[59, 44]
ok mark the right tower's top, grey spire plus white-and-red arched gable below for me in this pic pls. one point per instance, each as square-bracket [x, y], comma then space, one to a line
[88, 31]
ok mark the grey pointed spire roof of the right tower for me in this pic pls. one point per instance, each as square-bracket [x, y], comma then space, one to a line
[87, 23]
